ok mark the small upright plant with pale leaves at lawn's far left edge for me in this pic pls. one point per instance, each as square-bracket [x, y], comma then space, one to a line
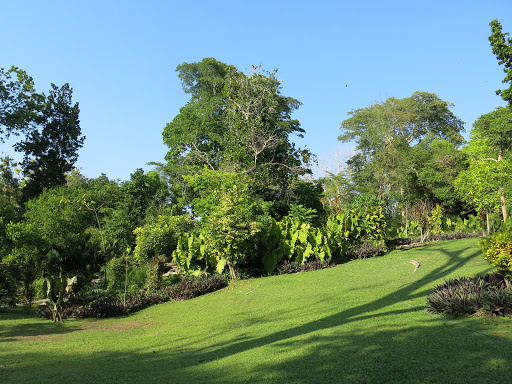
[59, 293]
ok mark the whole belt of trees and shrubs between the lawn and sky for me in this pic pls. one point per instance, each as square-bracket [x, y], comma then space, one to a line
[235, 195]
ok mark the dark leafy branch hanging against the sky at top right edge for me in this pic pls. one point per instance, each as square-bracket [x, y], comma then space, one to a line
[502, 48]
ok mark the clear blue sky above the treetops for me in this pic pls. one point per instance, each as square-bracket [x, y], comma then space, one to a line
[334, 56]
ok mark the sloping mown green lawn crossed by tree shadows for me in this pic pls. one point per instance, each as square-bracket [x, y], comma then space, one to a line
[361, 322]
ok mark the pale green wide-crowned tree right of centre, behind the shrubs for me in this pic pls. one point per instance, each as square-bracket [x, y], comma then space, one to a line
[386, 135]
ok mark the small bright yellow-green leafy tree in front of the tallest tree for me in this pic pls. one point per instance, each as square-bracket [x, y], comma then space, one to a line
[229, 225]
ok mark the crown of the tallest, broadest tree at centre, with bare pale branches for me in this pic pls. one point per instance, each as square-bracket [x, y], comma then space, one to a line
[236, 123]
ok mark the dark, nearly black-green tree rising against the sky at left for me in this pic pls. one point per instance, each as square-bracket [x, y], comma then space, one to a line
[51, 149]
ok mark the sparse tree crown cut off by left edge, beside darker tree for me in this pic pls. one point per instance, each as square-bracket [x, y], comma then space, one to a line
[19, 102]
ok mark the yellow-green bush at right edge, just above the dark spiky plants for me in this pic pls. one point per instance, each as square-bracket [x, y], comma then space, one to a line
[498, 251]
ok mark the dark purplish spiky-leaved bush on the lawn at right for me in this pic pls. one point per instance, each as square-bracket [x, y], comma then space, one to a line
[487, 294]
